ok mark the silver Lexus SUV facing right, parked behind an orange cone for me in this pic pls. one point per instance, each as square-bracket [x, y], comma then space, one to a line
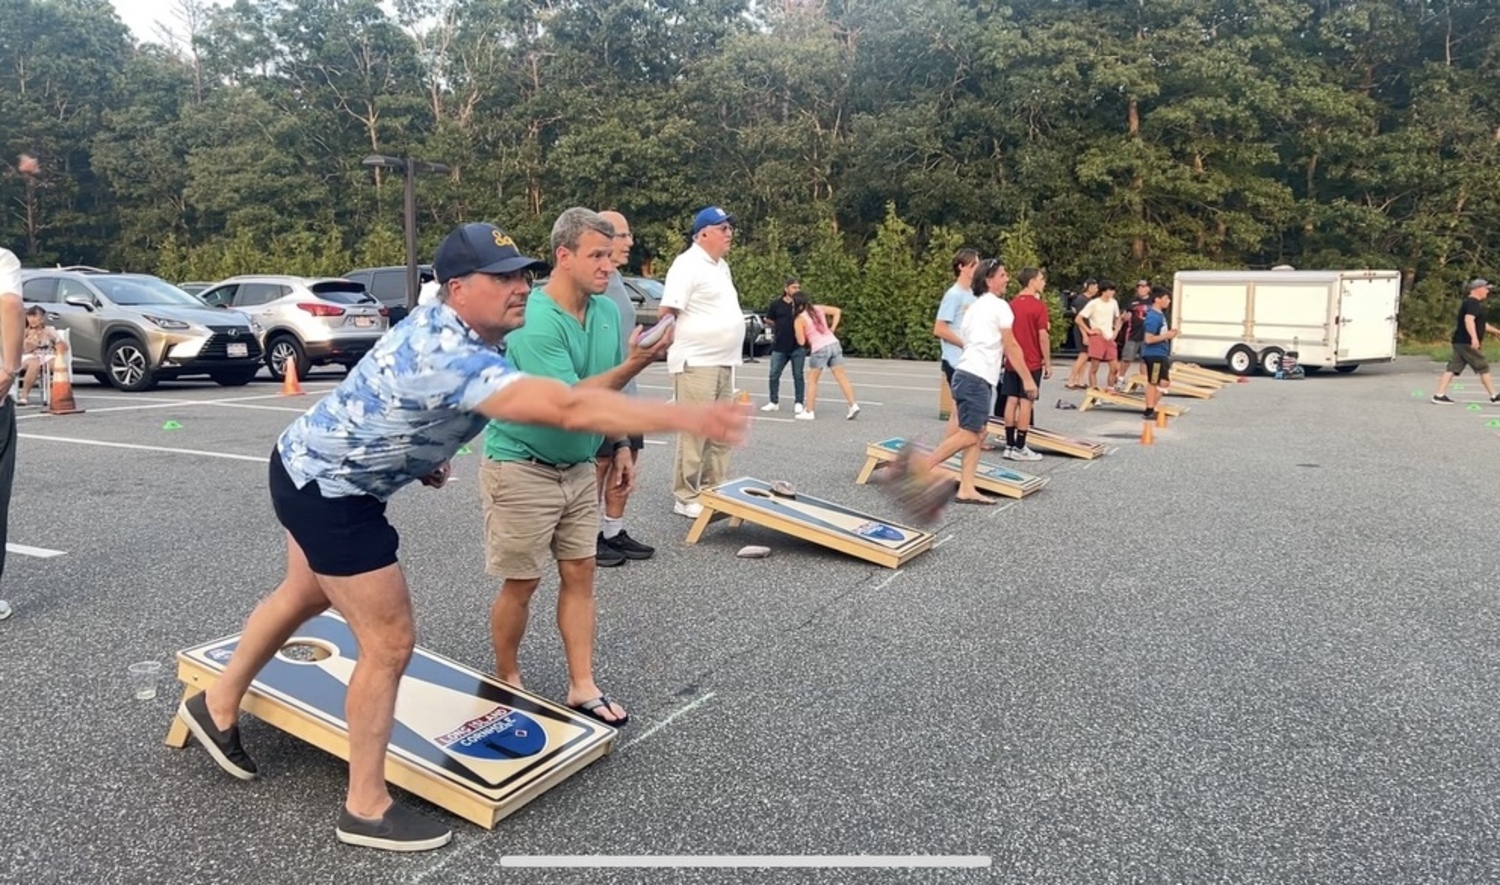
[133, 331]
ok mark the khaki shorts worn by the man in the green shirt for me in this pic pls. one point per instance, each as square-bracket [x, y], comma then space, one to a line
[532, 509]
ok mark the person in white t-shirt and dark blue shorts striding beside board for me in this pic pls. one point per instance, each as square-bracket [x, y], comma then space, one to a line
[988, 337]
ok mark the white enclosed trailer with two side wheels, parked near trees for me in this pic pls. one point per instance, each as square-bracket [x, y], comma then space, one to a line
[1249, 319]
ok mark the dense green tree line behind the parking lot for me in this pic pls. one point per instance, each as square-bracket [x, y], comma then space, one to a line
[859, 142]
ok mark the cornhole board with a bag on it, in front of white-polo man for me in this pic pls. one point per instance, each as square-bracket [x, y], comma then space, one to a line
[814, 520]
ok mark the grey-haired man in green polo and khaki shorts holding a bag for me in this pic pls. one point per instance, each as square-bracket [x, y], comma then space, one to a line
[538, 484]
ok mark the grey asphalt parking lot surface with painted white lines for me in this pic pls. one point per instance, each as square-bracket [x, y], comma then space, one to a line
[1261, 650]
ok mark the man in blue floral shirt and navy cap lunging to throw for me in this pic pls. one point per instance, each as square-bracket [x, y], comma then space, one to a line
[425, 391]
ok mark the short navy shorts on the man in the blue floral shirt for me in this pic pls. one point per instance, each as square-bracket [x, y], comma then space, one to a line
[340, 536]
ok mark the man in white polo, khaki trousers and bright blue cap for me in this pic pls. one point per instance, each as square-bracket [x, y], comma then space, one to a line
[709, 340]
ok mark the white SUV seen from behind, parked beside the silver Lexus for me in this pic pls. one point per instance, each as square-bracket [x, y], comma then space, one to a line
[314, 322]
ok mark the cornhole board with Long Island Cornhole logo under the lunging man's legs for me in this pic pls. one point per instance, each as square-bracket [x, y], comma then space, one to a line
[463, 740]
